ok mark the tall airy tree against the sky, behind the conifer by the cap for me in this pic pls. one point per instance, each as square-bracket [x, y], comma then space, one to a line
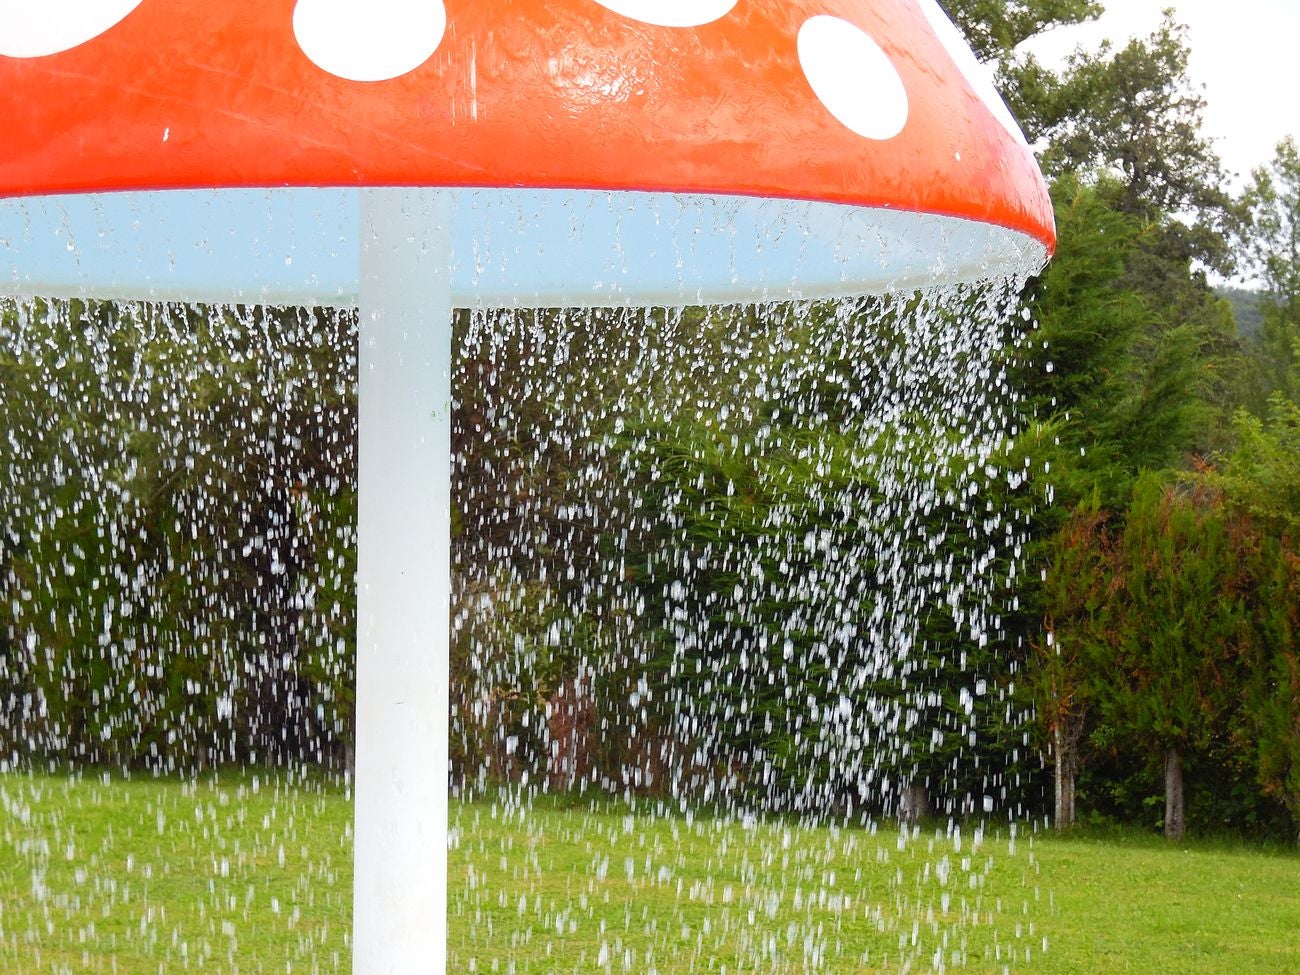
[1129, 124]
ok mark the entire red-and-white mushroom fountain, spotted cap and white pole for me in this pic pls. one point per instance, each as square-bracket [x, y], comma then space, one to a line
[532, 154]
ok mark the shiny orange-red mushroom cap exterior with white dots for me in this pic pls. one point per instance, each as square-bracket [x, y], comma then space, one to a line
[873, 103]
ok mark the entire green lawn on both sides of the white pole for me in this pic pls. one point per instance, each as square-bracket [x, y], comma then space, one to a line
[248, 874]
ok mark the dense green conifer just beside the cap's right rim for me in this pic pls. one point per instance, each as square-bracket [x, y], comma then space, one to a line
[1121, 387]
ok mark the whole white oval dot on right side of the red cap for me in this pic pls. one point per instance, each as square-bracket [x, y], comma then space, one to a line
[853, 77]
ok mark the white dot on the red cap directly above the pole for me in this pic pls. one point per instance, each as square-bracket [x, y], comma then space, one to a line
[370, 41]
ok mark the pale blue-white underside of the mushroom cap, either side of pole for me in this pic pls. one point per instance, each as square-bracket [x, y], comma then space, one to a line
[510, 248]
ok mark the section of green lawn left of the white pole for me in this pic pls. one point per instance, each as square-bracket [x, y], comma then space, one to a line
[237, 876]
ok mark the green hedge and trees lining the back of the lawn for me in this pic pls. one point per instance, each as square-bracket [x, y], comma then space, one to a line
[1155, 604]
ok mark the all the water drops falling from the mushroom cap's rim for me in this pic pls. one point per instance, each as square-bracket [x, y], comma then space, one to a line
[734, 638]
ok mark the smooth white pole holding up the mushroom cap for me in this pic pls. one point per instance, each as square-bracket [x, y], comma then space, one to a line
[400, 905]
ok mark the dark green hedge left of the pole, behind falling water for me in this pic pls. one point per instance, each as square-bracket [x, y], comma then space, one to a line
[175, 595]
